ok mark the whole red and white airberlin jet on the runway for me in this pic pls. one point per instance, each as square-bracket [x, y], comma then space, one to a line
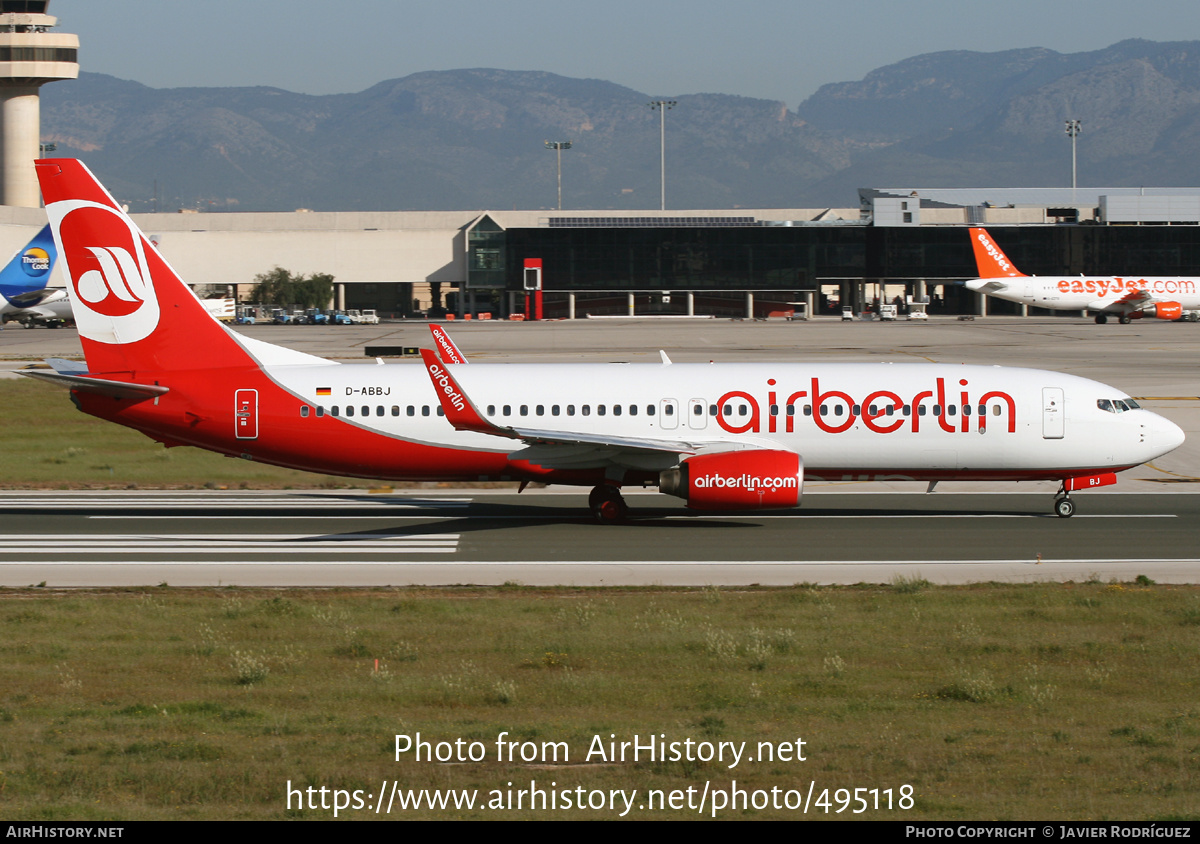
[721, 436]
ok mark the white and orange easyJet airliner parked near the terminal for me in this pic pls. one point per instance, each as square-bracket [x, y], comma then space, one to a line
[1125, 298]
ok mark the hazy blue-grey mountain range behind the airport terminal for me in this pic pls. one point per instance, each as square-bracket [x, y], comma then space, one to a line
[475, 139]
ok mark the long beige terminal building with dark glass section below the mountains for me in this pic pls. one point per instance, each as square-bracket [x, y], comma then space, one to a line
[899, 246]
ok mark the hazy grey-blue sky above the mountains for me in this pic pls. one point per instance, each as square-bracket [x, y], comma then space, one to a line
[778, 50]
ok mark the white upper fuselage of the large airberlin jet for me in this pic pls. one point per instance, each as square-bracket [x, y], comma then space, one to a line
[847, 421]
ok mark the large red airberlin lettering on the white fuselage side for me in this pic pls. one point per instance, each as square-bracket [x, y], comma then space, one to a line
[883, 411]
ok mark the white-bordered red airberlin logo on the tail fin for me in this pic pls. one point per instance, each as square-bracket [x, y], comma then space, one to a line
[106, 260]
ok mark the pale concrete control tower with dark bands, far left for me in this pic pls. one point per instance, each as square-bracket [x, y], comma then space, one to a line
[31, 57]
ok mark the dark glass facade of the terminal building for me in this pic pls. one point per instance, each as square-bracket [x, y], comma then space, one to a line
[721, 264]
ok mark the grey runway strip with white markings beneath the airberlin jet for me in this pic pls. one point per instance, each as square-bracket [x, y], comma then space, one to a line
[539, 538]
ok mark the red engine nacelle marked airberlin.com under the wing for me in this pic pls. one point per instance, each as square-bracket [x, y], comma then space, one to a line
[737, 481]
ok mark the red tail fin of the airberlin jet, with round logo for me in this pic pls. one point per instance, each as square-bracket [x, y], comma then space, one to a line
[134, 312]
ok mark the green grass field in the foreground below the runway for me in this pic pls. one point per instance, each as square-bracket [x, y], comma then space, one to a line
[1039, 702]
